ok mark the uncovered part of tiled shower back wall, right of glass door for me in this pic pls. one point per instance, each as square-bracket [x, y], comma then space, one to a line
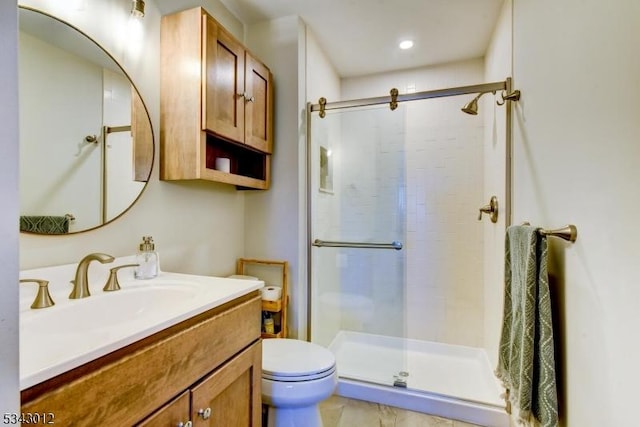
[444, 289]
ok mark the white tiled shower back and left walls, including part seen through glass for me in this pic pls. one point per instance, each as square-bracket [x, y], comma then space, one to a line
[415, 175]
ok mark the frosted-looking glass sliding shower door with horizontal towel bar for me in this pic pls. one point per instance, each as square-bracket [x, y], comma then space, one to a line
[358, 228]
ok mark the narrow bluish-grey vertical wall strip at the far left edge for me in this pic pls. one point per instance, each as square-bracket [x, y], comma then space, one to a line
[9, 381]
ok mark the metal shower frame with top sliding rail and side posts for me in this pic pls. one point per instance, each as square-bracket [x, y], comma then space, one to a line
[508, 95]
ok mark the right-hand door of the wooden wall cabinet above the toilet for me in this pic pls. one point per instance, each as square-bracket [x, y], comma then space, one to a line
[258, 105]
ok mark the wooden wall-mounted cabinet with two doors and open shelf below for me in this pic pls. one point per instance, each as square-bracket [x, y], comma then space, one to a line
[216, 102]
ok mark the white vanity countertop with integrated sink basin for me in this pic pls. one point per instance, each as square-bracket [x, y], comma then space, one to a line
[73, 332]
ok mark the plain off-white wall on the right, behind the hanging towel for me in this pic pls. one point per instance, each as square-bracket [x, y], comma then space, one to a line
[576, 154]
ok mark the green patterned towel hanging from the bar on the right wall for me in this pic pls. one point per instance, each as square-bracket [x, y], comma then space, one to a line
[526, 362]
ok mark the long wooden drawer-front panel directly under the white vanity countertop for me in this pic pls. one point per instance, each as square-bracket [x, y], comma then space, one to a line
[123, 387]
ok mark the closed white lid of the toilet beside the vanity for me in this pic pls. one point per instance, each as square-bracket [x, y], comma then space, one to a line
[282, 357]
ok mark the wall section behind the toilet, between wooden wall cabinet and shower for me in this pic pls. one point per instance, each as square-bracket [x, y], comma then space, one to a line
[275, 219]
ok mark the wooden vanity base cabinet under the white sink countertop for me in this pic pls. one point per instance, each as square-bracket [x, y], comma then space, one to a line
[206, 370]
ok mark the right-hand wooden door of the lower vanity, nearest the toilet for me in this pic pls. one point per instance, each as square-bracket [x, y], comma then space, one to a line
[231, 396]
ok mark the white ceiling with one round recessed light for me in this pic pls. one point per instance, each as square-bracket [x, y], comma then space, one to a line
[361, 36]
